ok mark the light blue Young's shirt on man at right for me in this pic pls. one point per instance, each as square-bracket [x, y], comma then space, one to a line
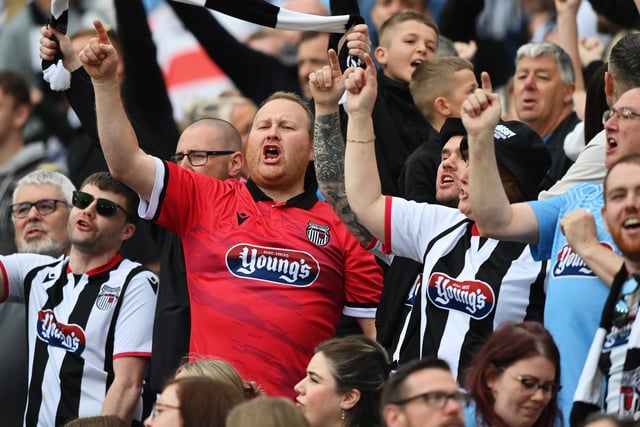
[575, 295]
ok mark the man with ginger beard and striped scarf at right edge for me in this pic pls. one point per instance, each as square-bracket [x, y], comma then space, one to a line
[614, 342]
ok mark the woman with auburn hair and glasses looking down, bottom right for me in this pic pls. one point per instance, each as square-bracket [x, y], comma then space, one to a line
[514, 378]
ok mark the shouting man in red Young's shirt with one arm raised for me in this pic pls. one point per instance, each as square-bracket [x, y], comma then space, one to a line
[270, 267]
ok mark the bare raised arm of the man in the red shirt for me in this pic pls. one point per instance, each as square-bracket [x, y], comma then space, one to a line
[127, 162]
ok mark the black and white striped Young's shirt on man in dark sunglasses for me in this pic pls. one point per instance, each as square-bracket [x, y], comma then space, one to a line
[77, 325]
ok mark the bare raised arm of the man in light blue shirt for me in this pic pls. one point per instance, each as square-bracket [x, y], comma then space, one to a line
[495, 216]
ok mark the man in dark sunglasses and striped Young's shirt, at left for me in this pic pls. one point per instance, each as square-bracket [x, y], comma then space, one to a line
[89, 314]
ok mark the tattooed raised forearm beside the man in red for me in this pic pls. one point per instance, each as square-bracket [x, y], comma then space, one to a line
[329, 164]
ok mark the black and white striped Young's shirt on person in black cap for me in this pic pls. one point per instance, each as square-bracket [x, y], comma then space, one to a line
[470, 284]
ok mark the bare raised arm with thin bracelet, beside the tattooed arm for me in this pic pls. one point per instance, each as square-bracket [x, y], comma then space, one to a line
[362, 180]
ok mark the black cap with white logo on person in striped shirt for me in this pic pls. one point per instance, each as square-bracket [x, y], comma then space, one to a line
[521, 151]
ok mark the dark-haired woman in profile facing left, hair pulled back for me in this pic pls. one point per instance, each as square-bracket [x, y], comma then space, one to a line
[343, 383]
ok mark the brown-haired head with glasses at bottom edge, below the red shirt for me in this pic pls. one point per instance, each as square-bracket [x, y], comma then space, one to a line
[194, 402]
